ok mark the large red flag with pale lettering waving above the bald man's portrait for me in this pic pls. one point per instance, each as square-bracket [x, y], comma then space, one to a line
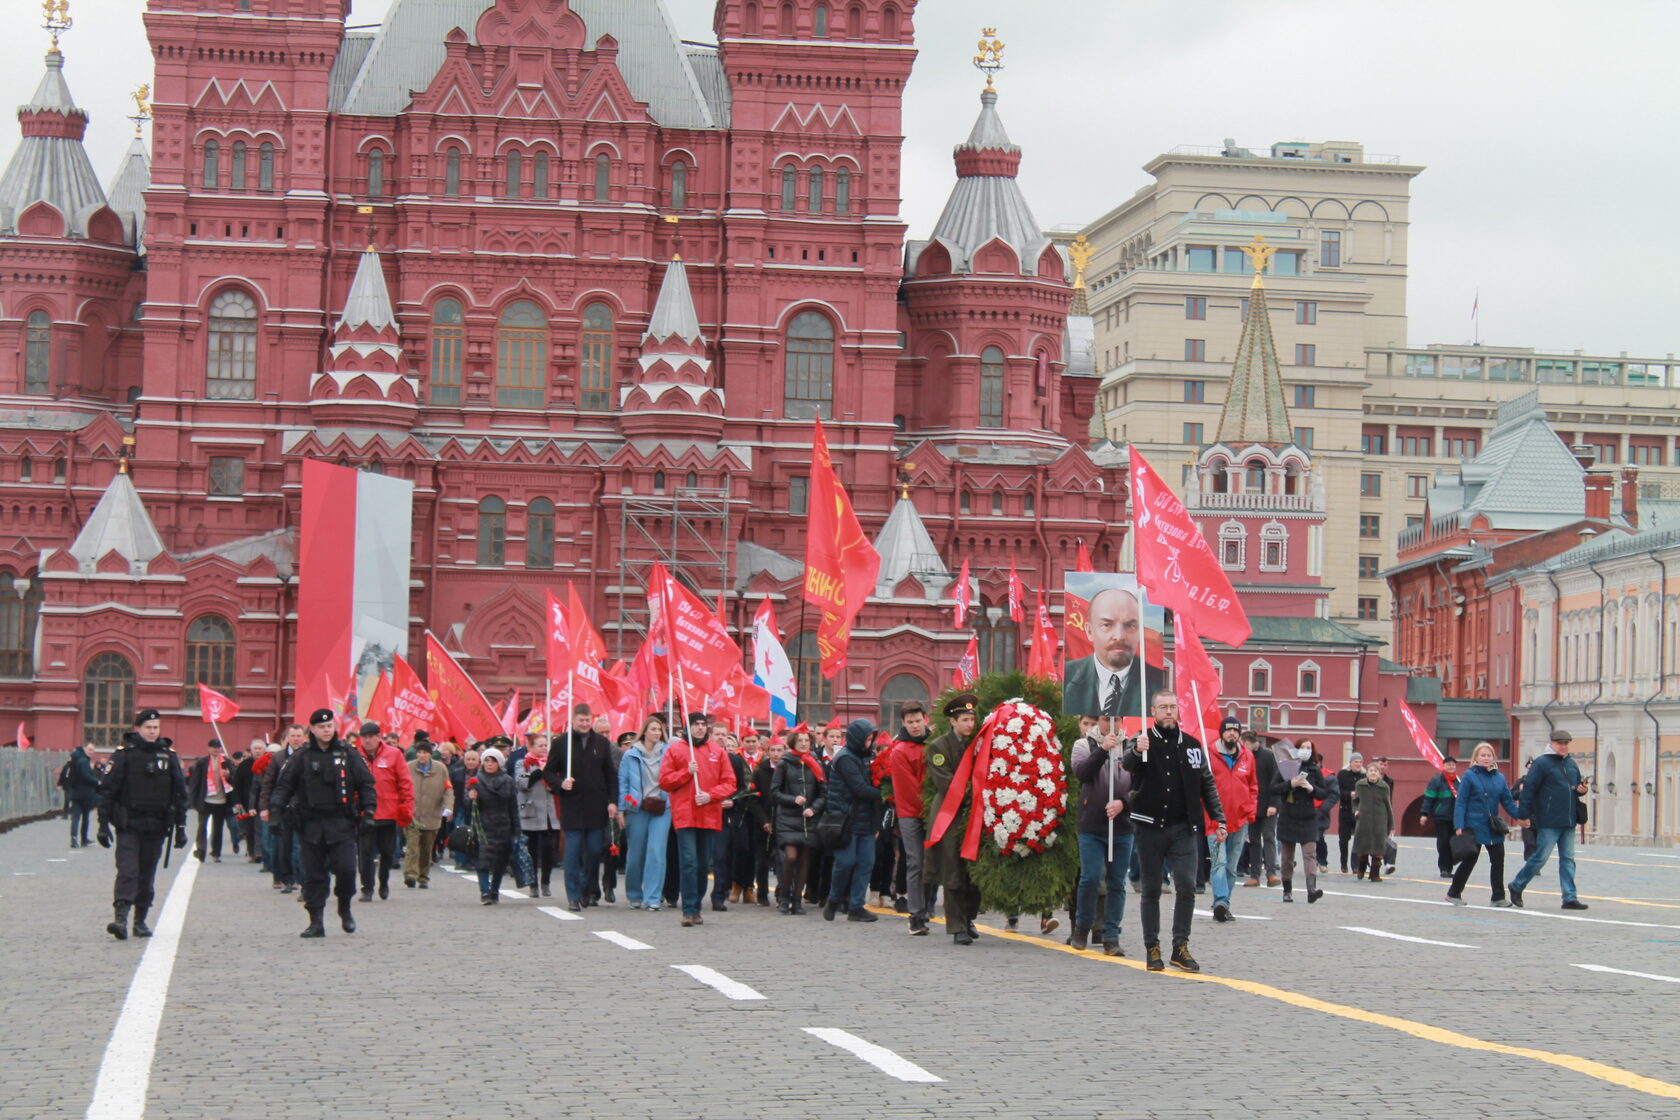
[1175, 562]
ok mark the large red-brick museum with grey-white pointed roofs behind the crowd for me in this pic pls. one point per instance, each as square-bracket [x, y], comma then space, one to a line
[585, 285]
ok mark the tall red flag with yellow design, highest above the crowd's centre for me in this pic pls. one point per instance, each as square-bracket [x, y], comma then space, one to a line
[841, 565]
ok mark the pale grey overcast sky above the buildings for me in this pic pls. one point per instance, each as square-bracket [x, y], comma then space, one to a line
[1546, 127]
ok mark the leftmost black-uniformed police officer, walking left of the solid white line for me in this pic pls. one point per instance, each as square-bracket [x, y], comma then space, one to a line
[142, 795]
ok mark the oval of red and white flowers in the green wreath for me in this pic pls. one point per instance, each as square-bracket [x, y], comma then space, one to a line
[1026, 792]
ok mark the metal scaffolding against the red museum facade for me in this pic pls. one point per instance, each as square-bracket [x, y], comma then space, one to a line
[688, 531]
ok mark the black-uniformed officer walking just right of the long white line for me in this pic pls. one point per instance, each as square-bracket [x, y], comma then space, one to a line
[327, 792]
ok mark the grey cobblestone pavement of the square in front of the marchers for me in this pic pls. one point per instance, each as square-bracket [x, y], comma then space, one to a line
[444, 1008]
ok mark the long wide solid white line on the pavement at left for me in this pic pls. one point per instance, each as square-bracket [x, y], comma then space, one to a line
[125, 1074]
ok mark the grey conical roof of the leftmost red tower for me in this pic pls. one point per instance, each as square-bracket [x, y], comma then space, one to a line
[51, 164]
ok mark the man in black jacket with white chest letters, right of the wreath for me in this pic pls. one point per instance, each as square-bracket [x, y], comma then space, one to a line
[1173, 783]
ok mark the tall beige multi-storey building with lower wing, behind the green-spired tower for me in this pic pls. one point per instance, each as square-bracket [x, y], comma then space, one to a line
[1168, 291]
